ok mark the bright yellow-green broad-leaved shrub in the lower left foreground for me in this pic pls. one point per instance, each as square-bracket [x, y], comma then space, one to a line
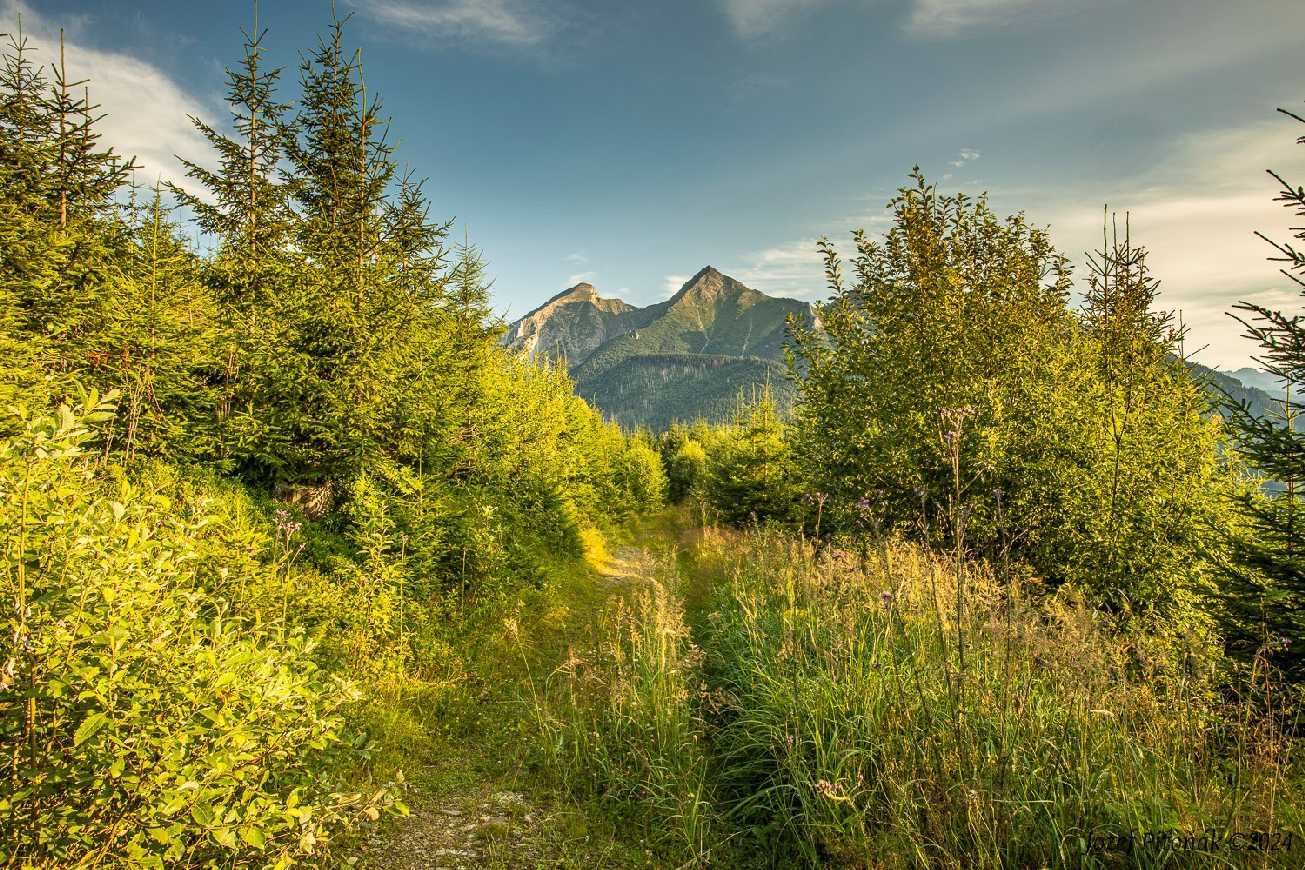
[148, 719]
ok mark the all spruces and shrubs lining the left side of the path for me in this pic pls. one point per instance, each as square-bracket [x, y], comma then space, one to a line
[245, 488]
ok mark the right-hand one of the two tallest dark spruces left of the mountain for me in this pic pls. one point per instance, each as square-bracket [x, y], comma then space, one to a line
[346, 316]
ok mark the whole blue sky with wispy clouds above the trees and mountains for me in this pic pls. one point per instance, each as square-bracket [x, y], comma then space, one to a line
[630, 144]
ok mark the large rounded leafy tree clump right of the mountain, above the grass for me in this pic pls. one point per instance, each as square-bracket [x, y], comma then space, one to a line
[955, 395]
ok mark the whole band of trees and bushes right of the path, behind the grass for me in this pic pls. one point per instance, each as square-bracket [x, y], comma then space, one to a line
[953, 395]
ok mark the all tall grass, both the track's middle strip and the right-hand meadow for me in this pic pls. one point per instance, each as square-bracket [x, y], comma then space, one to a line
[898, 710]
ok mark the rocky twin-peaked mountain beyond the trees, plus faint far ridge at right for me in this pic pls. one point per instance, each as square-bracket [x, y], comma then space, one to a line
[694, 355]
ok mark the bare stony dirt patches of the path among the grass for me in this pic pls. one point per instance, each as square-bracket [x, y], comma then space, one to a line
[481, 820]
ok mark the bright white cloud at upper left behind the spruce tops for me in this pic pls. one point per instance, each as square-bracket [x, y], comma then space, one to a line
[146, 112]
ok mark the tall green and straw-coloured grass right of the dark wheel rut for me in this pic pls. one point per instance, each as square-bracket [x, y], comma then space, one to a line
[909, 712]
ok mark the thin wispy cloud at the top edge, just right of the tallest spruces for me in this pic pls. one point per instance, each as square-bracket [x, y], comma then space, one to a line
[512, 23]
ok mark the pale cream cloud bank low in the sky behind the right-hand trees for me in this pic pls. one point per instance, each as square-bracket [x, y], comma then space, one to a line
[1196, 215]
